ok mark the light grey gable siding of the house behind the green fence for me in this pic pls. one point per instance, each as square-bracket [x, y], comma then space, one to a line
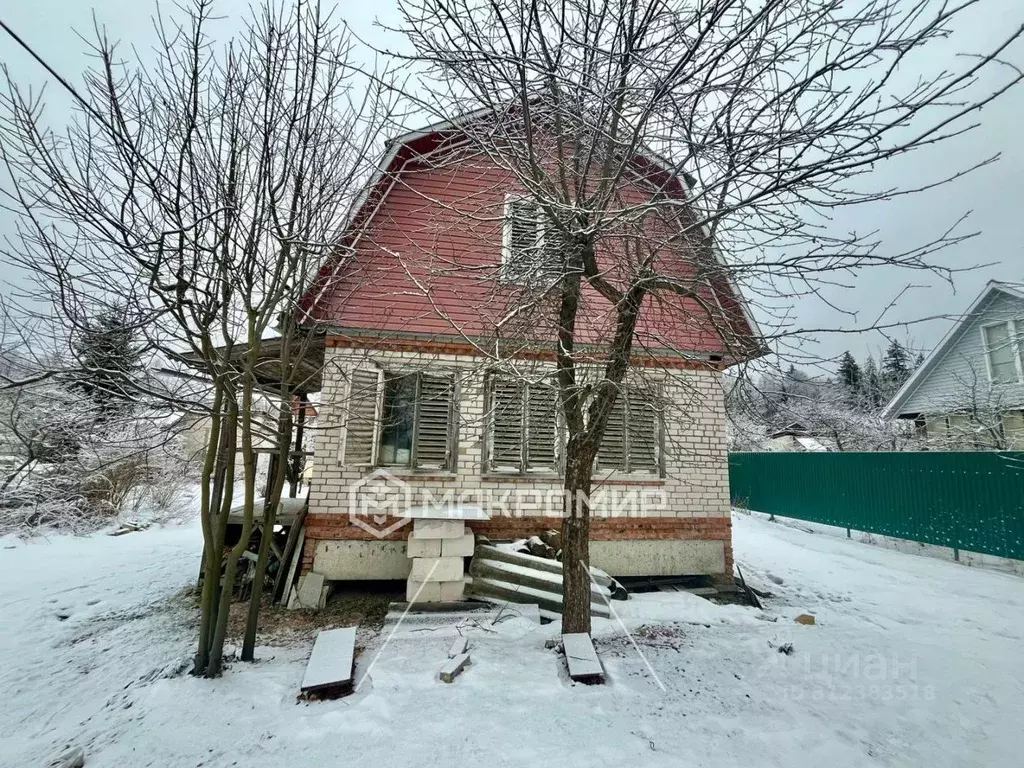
[959, 379]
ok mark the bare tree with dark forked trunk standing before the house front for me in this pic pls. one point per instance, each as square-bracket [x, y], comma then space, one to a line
[653, 136]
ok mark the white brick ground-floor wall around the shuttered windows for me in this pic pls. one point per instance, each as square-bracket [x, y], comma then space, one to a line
[697, 476]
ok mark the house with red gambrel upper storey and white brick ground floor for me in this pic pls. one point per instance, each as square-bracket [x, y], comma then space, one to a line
[412, 403]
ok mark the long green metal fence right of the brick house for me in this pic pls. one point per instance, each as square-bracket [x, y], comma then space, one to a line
[967, 501]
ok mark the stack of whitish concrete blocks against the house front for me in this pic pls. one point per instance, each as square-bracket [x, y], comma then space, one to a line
[438, 549]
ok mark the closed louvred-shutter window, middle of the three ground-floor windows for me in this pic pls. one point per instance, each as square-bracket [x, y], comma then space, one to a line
[524, 434]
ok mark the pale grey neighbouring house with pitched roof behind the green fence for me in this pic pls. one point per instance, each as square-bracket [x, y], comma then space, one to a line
[969, 393]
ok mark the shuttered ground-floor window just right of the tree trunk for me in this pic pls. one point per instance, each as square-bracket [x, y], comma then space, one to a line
[632, 441]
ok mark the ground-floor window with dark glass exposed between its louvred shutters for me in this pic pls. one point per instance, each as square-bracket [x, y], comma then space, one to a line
[401, 420]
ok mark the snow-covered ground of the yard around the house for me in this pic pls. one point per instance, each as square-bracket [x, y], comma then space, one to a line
[913, 662]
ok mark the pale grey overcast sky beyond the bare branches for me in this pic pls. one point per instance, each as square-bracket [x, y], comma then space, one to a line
[995, 195]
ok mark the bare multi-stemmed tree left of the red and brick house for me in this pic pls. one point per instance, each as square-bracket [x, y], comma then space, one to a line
[203, 190]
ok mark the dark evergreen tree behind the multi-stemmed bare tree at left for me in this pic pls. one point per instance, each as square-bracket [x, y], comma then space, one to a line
[110, 357]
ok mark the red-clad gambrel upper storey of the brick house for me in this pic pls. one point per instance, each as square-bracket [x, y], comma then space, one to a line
[420, 255]
